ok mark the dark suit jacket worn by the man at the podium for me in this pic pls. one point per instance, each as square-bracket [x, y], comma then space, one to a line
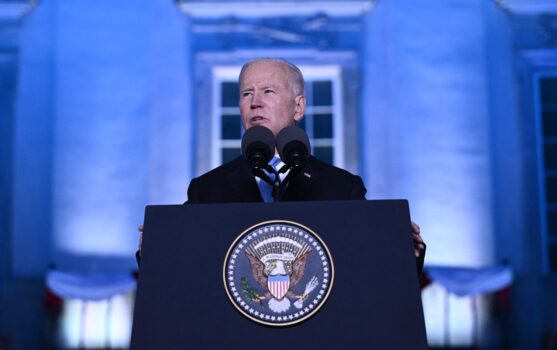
[234, 182]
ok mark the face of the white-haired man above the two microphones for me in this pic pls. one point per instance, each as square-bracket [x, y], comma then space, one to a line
[267, 97]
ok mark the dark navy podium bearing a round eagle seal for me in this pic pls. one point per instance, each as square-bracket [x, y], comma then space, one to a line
[182, 301]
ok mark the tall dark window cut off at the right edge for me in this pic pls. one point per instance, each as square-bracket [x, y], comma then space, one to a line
[548, 167]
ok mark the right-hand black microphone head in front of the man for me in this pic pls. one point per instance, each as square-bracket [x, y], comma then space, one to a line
[293, 146]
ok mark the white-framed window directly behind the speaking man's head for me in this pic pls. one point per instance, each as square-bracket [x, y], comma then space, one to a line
[322, 120]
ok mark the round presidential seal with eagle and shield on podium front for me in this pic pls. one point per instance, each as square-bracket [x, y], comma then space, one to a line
[278, 273]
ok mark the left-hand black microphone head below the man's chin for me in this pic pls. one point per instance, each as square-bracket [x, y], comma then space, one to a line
[258, 146]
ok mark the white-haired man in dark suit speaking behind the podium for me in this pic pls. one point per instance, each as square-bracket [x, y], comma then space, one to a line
[272, 95]
